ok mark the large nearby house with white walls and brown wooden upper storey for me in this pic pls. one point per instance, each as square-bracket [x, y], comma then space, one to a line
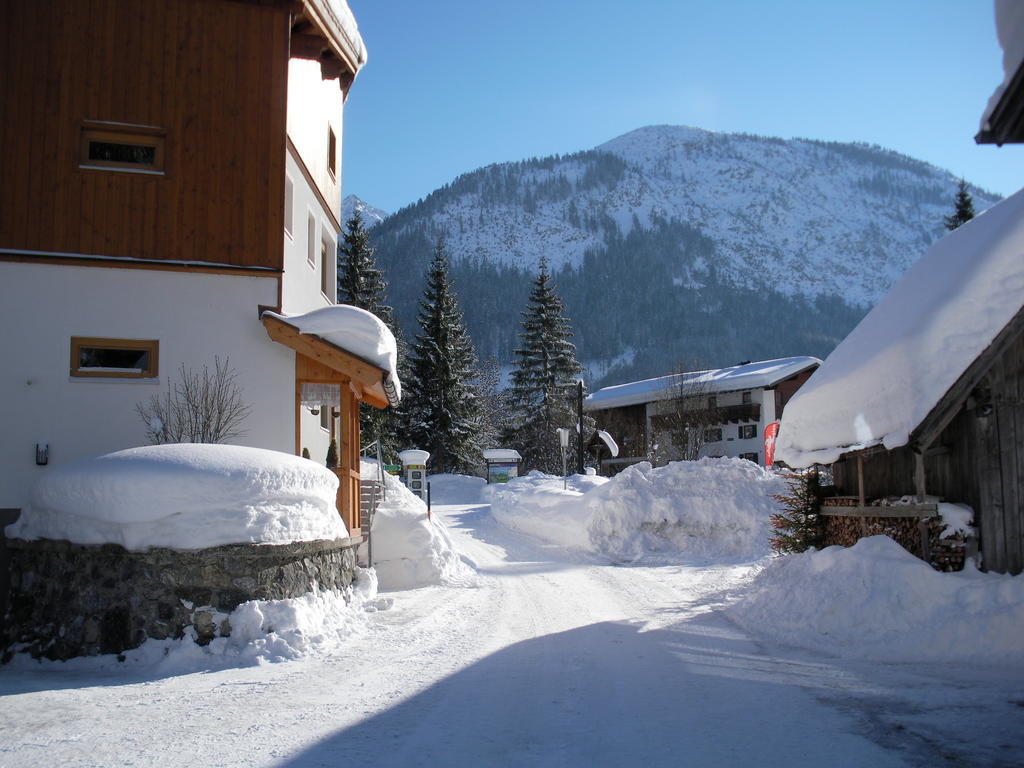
[159, 193]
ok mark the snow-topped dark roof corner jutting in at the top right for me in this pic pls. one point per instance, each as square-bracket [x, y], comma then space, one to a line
[1002, 119]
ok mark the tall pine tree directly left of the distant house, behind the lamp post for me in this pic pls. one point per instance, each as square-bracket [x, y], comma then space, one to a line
[544, 382]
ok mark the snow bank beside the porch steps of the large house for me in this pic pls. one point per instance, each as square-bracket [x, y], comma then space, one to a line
[409, 549]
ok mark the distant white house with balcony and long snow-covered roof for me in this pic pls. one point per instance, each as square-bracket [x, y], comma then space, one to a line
[744, 399]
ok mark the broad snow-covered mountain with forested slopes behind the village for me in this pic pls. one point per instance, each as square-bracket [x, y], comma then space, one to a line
[673, 242]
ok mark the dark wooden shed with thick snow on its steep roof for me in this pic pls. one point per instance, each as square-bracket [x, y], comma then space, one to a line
[924, 402]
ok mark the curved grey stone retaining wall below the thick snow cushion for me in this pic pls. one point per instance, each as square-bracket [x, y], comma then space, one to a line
[69, 601]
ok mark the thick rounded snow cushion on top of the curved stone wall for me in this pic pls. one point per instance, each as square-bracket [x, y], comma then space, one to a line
[185, 497]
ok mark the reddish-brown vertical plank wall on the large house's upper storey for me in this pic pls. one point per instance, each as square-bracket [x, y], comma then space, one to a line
[212, 73]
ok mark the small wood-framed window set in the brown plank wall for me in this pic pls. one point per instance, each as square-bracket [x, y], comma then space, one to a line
[116, 147]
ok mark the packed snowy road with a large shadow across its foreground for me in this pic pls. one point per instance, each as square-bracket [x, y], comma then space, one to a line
[548, 661]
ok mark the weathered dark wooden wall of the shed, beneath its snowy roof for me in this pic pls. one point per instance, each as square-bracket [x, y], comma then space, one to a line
[970, 450]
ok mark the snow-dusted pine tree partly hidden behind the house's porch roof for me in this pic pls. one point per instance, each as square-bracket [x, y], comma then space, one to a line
[362, 284]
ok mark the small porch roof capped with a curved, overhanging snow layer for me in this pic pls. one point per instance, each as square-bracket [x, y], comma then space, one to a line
[354, 331]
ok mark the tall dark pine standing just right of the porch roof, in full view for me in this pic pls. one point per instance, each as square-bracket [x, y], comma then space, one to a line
[442, 404]
